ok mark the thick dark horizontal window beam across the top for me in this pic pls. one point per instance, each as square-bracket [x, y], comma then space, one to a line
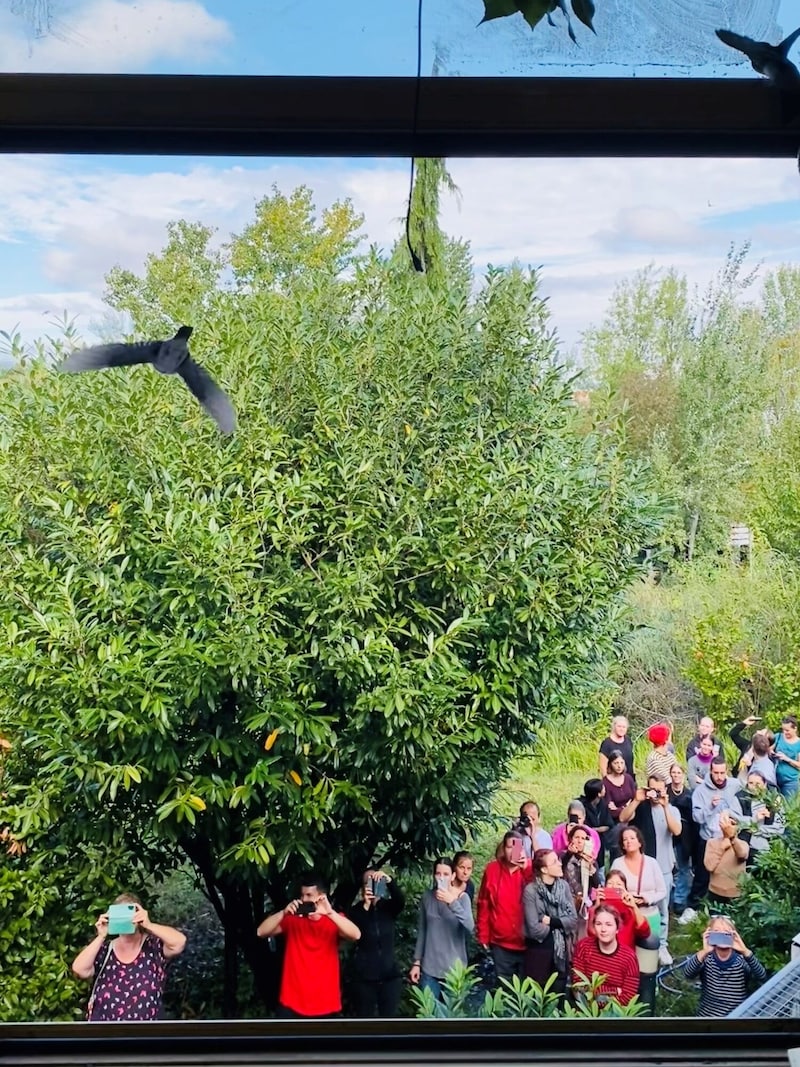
[374, 117]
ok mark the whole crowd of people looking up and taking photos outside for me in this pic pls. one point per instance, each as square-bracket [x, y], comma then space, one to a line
[594, 897]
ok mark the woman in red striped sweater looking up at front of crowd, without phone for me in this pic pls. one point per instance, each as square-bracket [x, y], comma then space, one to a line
[604, 954]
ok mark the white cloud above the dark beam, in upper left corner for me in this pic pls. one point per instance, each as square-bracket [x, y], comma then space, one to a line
[114, 37]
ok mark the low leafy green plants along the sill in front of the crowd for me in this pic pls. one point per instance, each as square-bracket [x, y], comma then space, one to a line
[518, 999]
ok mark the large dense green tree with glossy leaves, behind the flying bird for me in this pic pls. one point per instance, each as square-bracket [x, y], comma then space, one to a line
[321, 642]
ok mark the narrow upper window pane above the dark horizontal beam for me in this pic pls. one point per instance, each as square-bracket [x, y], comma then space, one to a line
[649, 39]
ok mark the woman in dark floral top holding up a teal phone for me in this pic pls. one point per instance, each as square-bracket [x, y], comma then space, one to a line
[130, 973]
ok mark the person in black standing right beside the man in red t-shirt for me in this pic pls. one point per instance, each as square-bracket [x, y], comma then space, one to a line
[378, 980]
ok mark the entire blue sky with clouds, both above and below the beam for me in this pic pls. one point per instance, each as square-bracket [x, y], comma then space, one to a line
[66, 221]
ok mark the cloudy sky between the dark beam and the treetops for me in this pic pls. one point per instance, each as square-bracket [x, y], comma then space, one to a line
[588, 222]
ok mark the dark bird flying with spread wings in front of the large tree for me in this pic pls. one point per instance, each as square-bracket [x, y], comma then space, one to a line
[169, 358]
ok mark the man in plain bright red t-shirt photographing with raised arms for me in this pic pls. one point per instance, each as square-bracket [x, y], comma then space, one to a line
[310, 984]
